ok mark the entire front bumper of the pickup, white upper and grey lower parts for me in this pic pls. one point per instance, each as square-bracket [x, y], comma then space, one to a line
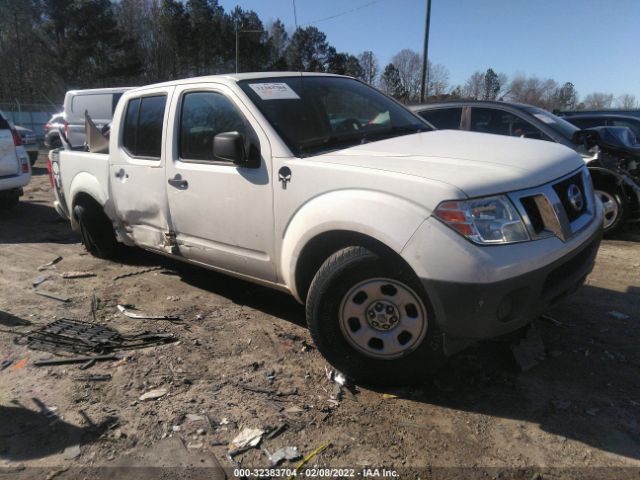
[482, 292]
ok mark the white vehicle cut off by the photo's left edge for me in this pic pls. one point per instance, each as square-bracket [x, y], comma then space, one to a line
[15, 170]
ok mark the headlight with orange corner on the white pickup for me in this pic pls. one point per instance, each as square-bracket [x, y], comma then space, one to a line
[489, 220]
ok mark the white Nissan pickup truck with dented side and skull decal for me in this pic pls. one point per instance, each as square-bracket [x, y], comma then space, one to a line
[405, 244]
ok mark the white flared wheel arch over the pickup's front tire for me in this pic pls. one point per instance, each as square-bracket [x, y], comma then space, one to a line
[384, 217]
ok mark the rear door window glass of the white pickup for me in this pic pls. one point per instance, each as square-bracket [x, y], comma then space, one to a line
[142, 129]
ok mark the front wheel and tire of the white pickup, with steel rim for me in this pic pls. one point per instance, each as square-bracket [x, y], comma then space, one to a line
[393, 355]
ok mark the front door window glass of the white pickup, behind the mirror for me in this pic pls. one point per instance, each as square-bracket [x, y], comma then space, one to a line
[204, 115]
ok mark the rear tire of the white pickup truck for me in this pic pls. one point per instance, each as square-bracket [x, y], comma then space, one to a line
[98, 236]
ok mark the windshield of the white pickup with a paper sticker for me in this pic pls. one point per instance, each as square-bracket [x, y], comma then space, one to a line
[317, 114]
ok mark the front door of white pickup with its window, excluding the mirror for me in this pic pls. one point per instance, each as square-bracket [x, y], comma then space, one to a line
[222, 214]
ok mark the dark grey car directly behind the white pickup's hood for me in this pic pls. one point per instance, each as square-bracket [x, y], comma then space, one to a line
[615, 181]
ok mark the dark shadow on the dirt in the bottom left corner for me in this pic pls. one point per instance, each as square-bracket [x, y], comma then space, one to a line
[30, 434]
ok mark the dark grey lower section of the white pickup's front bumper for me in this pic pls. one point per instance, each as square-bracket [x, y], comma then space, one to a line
[477, 311]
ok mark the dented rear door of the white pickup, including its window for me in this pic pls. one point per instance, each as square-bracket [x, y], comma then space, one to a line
[136, 170]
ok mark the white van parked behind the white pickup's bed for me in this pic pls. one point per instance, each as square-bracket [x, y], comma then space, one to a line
[99, 102]
